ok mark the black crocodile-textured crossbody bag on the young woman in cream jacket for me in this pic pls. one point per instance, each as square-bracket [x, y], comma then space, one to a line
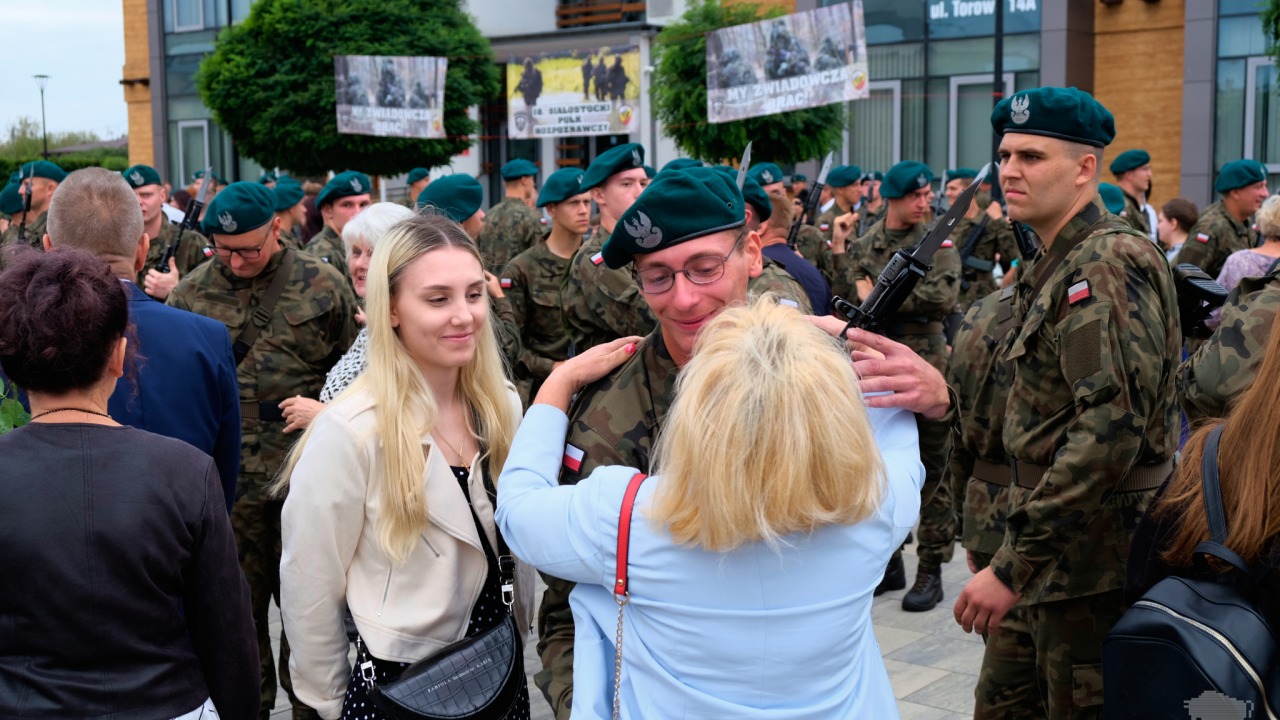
[474, 678]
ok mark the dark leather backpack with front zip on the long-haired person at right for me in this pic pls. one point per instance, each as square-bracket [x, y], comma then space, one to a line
[1196, 649]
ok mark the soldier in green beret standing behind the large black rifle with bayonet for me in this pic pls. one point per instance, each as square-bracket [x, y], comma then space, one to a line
[918, 326]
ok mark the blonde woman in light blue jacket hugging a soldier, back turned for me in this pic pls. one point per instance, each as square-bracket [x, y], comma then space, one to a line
[755, 550]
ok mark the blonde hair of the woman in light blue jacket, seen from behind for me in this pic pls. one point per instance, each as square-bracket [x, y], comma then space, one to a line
[767, 436]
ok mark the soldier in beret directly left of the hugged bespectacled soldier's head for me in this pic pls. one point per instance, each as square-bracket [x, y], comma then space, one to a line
[604, 304]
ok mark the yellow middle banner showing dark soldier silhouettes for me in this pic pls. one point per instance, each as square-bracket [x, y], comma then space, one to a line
[574, 93]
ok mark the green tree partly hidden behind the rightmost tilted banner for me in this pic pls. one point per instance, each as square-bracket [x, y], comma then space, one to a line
[680, 97]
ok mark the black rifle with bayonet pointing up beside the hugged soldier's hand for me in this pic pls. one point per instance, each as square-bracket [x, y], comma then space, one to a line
[895, 285]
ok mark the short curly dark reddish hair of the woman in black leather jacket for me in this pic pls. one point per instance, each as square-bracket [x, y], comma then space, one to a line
[61, 316]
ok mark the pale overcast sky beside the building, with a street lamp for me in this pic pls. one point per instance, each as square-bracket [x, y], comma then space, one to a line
[80, 44]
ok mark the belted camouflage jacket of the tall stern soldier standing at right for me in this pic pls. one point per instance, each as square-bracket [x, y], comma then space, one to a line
[1091, 399]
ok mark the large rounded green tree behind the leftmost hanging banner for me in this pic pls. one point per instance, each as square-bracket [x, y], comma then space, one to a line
[271, 83]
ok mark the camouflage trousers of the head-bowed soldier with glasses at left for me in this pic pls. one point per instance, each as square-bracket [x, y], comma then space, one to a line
[257, 525]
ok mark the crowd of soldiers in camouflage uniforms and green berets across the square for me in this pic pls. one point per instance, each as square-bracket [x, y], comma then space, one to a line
[1063, 414]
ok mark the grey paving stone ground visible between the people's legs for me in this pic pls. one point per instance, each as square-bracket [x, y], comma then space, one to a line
[932, 663]
